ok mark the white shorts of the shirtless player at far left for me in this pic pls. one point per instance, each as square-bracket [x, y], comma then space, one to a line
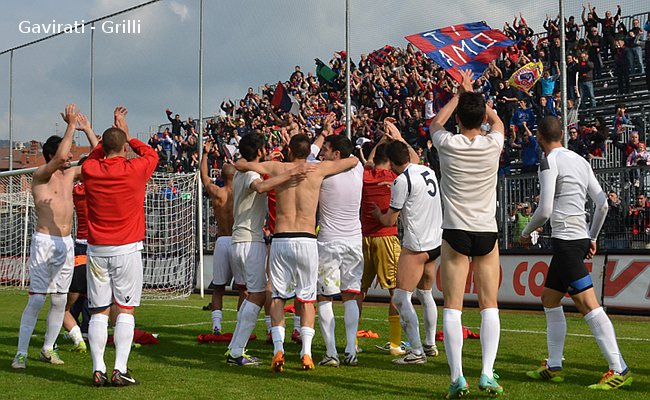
[51, 263]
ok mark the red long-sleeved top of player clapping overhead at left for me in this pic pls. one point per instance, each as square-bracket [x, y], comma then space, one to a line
[115, 190]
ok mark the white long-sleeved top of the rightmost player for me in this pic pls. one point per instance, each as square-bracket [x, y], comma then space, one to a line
[565, 180]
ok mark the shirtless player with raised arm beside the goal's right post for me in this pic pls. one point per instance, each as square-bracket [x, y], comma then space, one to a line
[222, 207]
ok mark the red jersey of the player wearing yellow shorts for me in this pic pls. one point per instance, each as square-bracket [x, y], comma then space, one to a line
[378, 194]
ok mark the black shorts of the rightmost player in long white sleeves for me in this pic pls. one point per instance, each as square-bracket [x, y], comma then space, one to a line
[567, 272]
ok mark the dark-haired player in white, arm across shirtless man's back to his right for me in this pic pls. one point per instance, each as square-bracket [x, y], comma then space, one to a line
[248, 253]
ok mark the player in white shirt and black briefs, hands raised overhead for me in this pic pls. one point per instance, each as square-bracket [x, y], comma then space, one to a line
[468, 164]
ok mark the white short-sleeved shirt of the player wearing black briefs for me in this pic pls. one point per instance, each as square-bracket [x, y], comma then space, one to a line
[468, 182]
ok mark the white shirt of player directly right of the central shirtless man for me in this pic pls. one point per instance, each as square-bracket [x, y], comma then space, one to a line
[339, 205]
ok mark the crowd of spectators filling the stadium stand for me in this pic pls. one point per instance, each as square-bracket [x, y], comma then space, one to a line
[406, 85]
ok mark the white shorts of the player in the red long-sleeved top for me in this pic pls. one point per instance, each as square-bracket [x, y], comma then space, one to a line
[114, 279]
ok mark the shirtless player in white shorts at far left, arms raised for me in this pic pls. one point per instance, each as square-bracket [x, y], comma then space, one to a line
[51, 260]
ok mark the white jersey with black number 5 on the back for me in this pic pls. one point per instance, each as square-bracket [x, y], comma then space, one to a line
[415, 194]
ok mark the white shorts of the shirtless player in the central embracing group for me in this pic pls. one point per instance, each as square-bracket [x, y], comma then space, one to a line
[293, 267]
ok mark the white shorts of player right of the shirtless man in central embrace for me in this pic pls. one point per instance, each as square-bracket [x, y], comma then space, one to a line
[340, 267]
